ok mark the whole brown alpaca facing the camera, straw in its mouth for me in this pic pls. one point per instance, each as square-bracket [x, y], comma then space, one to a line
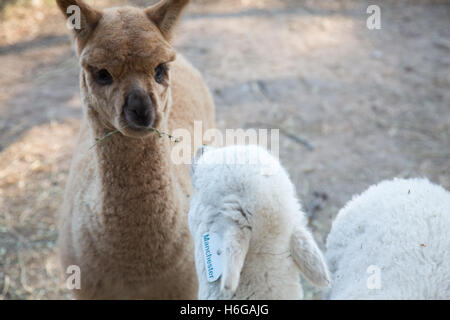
[124, 216]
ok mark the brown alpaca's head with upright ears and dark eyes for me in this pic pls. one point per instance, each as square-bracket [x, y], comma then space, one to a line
[125, 58]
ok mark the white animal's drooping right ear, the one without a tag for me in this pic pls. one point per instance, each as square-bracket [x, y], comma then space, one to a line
[309, 258]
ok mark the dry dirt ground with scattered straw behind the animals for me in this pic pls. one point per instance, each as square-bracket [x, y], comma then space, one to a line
[355, 106]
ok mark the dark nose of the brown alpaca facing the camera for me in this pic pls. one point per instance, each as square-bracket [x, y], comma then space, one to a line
[139, 110]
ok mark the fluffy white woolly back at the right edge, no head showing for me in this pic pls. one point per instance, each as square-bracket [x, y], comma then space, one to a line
[392, 242]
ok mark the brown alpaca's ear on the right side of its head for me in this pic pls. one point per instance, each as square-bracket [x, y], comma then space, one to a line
[165, 14]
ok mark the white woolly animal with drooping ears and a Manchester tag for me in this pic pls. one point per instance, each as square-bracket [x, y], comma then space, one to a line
[244, 197]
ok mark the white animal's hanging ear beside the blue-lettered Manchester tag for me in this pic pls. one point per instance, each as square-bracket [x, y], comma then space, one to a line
[235, 247]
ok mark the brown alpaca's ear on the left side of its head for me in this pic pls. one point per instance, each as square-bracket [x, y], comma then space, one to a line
[81, 17]
